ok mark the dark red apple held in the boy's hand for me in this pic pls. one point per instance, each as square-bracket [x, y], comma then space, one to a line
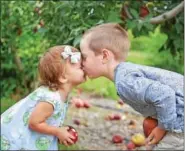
[148, 125]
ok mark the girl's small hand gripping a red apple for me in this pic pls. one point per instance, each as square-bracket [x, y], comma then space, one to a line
[64, 136]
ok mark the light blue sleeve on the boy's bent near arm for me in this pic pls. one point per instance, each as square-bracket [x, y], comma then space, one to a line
[139, 89]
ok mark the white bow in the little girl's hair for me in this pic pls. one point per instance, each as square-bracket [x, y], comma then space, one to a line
[75, 56]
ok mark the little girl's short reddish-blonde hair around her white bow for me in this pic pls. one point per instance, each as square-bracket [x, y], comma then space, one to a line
[52, 66]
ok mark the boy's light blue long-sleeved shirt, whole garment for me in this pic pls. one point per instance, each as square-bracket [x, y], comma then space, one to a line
[152, 92]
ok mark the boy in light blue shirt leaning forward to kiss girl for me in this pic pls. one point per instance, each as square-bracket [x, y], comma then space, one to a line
[151, 91]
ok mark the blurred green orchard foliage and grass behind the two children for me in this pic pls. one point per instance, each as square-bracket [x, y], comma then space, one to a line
[30, 27]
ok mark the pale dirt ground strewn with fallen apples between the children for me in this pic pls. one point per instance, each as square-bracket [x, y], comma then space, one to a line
[95, 131]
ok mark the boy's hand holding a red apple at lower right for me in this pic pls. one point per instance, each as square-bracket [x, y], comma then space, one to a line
[156, 135]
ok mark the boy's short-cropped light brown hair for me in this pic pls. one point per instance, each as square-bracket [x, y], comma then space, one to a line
[110, 36]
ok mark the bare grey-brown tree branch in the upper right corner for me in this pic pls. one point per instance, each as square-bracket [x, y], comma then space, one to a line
[168, 15]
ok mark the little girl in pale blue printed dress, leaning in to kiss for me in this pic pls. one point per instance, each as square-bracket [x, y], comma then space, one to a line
[33, 123]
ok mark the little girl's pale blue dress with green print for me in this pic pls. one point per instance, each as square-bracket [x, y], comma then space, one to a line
[15, 132]
